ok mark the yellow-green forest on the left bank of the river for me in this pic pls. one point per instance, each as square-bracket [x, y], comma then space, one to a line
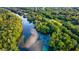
[10, 30]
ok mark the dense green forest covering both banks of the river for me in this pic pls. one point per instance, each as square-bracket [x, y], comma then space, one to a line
[62, 24]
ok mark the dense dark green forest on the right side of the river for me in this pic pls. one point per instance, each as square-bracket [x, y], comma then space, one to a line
[62, 24]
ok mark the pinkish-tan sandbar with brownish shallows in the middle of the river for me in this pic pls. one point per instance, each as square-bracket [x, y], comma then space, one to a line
[31, 42]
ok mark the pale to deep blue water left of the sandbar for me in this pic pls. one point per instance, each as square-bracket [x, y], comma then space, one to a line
[26, 27]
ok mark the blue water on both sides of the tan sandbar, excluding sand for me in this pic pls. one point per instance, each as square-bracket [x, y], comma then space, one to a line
[42, 39]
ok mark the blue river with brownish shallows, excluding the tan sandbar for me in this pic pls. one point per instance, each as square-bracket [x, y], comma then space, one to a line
[42, 42]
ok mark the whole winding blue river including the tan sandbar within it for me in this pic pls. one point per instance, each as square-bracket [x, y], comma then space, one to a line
[31, 42]
